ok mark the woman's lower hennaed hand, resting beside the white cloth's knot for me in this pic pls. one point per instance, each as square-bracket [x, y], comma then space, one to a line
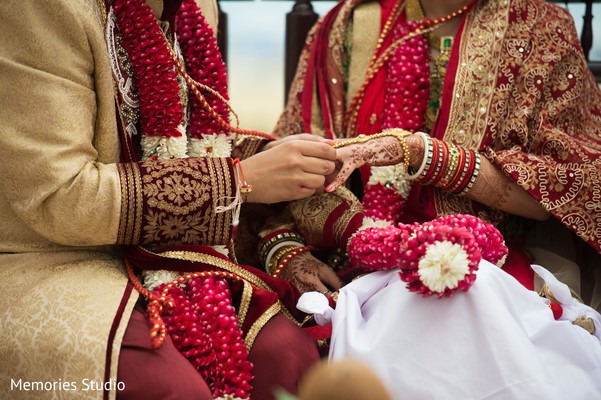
[308, 274]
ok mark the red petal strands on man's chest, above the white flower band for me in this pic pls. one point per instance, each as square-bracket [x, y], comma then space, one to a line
[156, 74]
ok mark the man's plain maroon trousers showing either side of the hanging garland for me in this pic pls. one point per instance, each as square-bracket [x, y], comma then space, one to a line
[282, 352]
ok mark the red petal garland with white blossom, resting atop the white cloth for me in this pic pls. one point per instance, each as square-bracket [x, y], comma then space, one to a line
[435, 258]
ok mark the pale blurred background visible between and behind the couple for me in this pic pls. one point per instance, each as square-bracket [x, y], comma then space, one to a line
[255, 55]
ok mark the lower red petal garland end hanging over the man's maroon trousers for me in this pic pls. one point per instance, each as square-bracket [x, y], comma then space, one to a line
[203, 326]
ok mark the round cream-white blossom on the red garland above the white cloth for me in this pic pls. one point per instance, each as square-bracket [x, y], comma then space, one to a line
[443, 266]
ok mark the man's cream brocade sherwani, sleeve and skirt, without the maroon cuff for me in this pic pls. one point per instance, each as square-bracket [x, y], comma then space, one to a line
[62, 279]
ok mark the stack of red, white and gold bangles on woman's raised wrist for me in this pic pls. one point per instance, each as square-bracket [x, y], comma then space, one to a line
[447, 166]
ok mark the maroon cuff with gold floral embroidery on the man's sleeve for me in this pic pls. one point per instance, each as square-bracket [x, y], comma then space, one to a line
[175, 201]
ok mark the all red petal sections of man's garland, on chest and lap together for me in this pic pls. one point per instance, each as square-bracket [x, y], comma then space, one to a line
[200, 319]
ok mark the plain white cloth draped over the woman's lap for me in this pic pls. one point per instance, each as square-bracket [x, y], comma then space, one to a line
[496, 341]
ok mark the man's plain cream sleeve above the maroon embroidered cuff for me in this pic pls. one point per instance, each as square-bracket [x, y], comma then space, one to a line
[52, 178]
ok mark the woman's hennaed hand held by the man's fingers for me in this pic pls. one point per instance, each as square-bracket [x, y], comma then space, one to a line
[376, 152]
